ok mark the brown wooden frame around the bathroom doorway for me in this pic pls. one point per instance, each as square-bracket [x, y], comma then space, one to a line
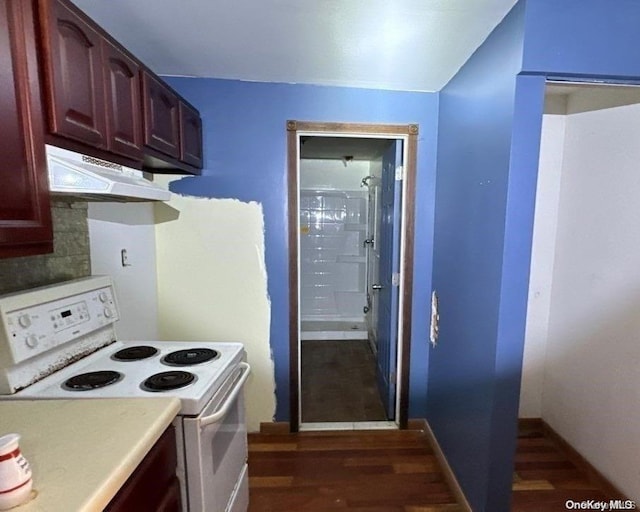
[410, 133]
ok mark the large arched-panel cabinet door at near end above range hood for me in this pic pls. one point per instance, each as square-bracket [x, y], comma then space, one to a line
[75, 88]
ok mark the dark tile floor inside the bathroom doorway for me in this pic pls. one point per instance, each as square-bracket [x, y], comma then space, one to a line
[339, 382]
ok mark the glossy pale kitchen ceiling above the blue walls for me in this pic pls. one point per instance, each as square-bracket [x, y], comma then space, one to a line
[410, 45]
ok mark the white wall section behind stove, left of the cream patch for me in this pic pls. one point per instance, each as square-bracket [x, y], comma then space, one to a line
[130, 226]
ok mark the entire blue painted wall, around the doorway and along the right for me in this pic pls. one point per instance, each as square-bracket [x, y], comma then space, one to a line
[487, 139]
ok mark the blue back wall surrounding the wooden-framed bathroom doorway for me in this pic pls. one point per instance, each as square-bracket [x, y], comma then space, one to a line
[245, 158]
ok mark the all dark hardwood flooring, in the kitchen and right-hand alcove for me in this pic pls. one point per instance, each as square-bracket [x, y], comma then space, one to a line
[397, 471]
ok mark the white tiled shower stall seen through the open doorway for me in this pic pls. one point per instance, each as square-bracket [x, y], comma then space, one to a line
[334, 258]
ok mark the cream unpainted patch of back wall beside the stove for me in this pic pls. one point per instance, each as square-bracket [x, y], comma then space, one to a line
[212, 285]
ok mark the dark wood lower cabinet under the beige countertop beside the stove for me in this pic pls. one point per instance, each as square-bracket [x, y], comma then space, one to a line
[154, 486]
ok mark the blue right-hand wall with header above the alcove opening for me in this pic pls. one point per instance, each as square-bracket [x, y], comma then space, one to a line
[489, 136]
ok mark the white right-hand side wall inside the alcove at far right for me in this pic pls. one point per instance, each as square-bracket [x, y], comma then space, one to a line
[591, 380]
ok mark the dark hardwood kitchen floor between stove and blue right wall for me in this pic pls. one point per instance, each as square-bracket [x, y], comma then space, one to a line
[356, 471]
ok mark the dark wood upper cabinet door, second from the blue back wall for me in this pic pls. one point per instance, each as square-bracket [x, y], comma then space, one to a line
[161, 116]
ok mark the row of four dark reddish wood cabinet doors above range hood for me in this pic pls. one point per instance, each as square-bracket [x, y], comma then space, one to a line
[95, 97]
